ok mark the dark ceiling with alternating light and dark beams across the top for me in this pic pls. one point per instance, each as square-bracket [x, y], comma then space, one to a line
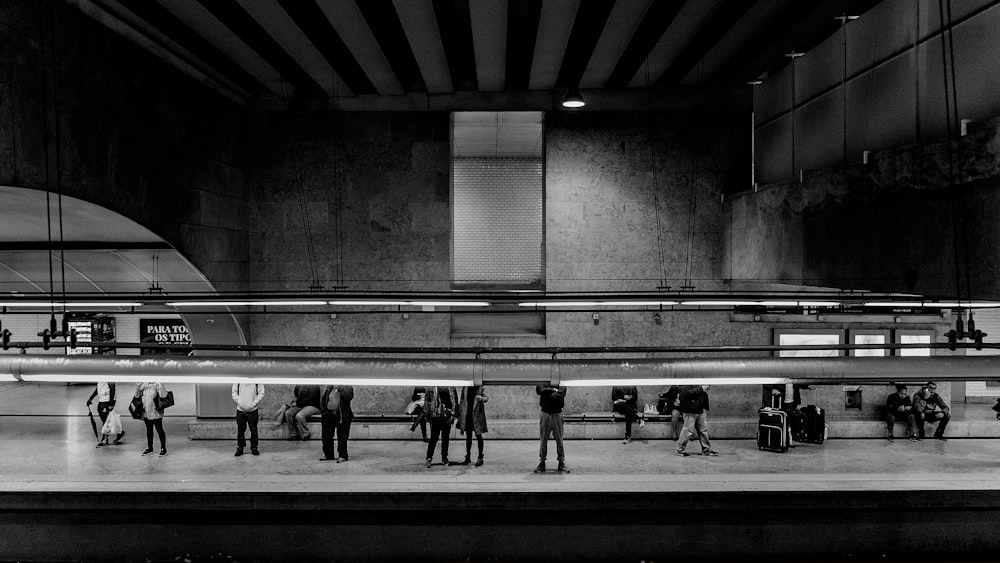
[489, 54]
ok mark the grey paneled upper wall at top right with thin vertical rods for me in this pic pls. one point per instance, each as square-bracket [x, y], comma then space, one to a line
[893, 92]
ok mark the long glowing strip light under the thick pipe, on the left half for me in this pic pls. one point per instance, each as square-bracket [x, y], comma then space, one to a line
[269, 379]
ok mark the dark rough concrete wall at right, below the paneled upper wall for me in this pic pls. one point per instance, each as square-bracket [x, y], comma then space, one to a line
[890, 225]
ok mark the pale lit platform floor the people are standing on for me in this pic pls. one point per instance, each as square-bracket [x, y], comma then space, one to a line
[47, 447]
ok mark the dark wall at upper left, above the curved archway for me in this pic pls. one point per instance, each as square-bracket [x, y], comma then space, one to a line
[122, 130]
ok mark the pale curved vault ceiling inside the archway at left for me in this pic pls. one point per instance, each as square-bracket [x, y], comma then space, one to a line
[99, 251]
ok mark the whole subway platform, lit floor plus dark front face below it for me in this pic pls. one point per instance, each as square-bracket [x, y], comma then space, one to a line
[846, 500]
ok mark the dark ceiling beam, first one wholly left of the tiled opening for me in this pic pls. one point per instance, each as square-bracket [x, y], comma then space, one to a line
[384, 23]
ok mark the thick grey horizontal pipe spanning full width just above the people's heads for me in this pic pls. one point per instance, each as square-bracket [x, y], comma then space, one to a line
[409, 371]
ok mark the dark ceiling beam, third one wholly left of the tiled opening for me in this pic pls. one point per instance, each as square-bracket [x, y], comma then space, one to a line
[246, 28]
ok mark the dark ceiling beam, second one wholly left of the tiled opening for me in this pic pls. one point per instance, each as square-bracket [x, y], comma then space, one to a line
[314, 24]
